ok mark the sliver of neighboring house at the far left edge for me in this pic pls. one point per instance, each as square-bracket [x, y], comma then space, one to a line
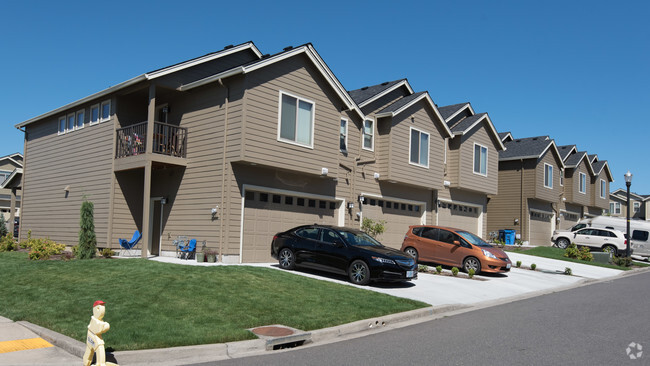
[10, 173]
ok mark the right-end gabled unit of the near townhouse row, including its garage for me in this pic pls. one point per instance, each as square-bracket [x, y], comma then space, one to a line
[471, 169]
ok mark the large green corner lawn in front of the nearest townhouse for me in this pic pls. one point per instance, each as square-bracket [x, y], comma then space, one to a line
[153, 305]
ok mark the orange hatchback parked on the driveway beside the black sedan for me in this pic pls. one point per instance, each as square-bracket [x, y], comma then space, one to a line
[454, 247]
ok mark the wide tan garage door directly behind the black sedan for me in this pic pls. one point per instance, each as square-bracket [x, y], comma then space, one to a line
[266, 214]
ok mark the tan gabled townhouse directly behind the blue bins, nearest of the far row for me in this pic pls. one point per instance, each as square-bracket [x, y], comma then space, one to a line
[529, 189]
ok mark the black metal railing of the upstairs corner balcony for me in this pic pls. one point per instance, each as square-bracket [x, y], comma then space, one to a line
[167, 140]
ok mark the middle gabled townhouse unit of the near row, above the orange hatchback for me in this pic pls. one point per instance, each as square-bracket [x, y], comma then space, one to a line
[398, 169]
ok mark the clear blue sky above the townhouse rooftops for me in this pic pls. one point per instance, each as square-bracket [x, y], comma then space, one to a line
[578, 71]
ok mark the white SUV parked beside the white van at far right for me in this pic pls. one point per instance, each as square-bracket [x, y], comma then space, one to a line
[605, 239]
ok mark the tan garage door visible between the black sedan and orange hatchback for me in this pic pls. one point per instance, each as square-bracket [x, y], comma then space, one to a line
[398, 216]
